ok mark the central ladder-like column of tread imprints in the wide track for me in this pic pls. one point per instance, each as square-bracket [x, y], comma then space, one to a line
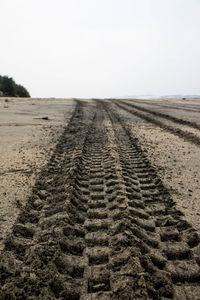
[97, 223]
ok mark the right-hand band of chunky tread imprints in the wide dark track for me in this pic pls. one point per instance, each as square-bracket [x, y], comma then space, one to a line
[169, 246]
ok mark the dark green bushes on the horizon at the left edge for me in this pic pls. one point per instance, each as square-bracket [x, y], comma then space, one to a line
[8, 87]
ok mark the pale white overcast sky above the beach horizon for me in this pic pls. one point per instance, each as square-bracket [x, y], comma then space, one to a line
[101, 48]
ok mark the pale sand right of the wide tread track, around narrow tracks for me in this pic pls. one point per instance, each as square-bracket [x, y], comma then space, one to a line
[176, 158]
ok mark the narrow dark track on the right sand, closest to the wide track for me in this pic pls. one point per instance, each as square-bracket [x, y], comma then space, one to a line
[187, 136]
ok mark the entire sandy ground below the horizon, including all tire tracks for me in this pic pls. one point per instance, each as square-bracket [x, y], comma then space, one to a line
[99, 199]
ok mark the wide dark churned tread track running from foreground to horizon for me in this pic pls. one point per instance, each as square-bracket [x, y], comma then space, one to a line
[100, 223]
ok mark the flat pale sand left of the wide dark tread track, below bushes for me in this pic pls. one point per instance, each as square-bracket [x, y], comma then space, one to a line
[26, 144]
